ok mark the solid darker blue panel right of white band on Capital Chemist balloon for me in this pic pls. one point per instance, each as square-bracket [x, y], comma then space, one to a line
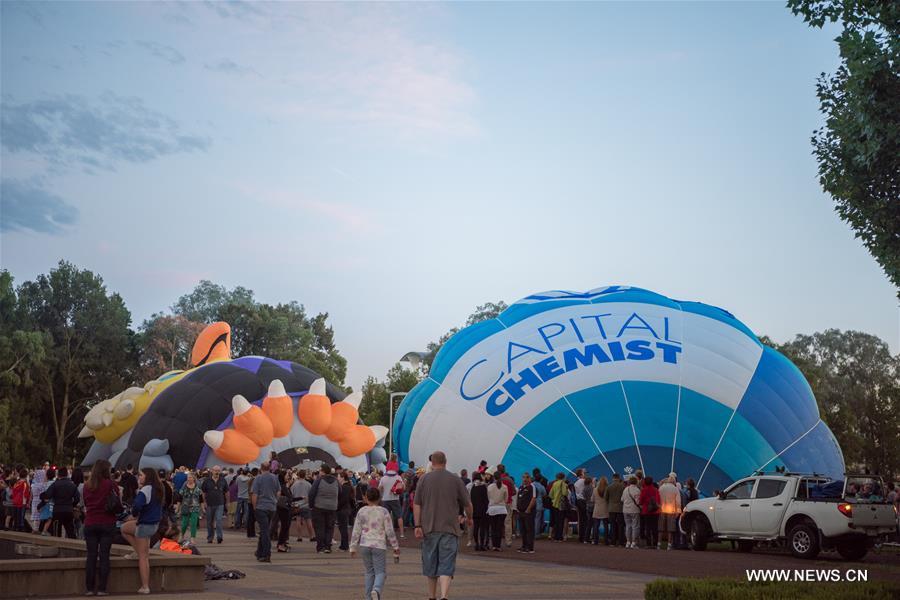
[778, 402]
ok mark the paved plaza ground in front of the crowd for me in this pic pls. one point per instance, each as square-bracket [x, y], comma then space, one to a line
[304, 574]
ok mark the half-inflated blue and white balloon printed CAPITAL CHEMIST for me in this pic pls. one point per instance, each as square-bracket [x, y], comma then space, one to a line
[615, 380]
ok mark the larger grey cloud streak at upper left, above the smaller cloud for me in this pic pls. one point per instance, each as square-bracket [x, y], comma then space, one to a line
[71, 130]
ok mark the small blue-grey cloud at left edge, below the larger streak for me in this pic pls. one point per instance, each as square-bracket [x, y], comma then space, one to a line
[25, 206]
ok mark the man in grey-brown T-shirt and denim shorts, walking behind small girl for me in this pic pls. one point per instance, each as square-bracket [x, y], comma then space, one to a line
[440, 497]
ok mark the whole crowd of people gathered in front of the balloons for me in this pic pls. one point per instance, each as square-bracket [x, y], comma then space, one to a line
[360, 513]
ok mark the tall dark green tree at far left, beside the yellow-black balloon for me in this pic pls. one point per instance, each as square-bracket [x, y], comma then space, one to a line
[85, 354]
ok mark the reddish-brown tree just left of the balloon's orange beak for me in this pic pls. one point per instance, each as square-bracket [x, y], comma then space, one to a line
[164, 343]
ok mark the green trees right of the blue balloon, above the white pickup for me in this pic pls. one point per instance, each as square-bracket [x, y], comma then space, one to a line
[857, 385]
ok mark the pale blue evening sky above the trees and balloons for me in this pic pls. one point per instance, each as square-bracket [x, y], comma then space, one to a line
[398, 164]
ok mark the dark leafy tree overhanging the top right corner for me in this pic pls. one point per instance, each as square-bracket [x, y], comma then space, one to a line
[858, 149]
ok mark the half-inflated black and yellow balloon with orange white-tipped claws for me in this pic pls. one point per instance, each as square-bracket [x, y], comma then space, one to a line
[233, 412]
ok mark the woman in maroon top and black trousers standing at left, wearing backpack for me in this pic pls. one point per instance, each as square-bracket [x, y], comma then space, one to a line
[101, 507]
